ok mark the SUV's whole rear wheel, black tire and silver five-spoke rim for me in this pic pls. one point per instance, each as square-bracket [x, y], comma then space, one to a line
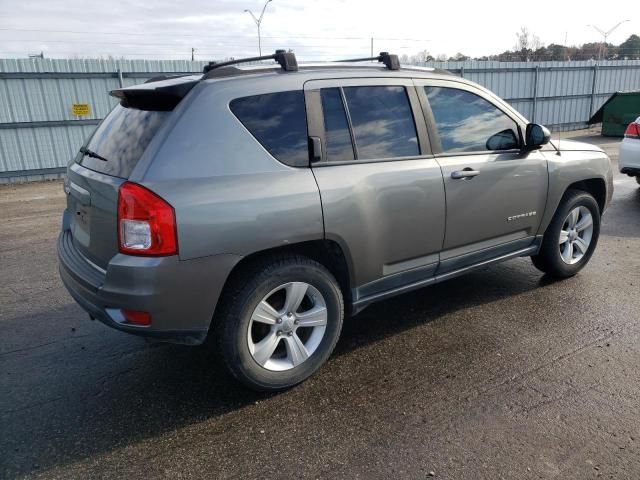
[280, 322]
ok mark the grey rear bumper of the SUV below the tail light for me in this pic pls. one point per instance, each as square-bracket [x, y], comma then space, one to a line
[180, 295]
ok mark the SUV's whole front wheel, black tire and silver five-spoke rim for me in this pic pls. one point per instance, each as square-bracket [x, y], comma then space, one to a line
[571, 237]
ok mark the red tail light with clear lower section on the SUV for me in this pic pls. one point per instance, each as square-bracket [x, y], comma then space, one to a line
[146, 223]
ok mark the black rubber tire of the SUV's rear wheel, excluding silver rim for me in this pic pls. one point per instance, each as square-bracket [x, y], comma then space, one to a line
[246, 291]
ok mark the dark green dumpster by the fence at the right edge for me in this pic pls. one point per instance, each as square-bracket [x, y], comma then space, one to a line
[617, 112]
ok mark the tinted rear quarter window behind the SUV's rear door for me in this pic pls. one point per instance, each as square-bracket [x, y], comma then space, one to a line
[279, 123]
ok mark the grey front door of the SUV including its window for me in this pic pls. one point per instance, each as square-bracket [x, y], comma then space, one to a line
[495, 192]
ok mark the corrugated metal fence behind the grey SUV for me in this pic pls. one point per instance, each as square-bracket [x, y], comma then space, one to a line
[39, 132]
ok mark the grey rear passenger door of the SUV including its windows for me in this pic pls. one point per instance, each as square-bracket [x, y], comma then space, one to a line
[381, 189]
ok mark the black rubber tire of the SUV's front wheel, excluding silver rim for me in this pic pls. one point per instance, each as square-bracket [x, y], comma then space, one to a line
[549, 260]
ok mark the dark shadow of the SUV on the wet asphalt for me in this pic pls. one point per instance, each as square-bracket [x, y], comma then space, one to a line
[88, 394]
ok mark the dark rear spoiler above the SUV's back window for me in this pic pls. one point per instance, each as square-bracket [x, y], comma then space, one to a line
[158, 95]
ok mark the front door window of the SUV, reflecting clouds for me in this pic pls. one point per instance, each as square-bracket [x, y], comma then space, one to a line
[469, 123]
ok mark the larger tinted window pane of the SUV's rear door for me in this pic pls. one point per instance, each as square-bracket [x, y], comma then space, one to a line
[382, 122]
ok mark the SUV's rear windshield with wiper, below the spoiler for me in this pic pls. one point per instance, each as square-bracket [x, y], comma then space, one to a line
[121, 139]
